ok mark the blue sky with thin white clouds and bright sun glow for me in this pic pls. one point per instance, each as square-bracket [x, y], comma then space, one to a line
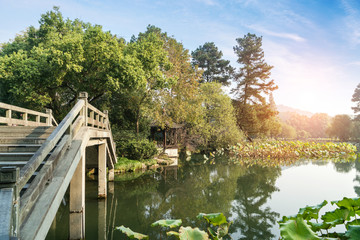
[314, 45]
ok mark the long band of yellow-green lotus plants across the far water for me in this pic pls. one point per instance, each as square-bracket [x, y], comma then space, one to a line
[270, 152]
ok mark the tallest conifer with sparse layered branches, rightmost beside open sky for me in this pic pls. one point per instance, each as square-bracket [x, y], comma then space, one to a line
[253, 84]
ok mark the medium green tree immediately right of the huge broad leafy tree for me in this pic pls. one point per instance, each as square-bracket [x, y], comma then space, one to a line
[145, 65]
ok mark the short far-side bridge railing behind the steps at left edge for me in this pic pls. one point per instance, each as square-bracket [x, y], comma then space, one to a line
[21, 116]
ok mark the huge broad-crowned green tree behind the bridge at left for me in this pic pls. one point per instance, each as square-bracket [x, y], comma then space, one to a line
[49, 66]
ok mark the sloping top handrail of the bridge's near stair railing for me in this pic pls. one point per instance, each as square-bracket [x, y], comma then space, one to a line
[49, 144]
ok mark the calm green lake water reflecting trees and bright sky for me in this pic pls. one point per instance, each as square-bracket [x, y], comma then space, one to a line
[253, 198]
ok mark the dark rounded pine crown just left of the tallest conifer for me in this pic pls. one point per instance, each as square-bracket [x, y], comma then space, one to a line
[209, 59]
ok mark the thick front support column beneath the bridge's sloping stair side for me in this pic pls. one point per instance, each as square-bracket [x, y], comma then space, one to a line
[77, 202]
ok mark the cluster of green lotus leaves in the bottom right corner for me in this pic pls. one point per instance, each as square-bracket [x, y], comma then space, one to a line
[308, 224]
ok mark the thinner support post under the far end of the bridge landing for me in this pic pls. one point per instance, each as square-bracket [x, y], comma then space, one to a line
[102, 184]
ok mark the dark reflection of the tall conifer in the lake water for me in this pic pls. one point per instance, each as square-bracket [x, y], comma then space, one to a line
[252, 220]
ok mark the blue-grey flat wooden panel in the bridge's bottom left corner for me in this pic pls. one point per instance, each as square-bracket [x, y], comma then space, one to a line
[6, 208]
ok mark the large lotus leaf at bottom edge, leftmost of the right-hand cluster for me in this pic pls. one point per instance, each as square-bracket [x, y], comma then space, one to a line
[297, 229]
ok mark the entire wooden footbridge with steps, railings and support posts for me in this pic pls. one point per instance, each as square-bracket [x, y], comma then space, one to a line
[39, 160]
